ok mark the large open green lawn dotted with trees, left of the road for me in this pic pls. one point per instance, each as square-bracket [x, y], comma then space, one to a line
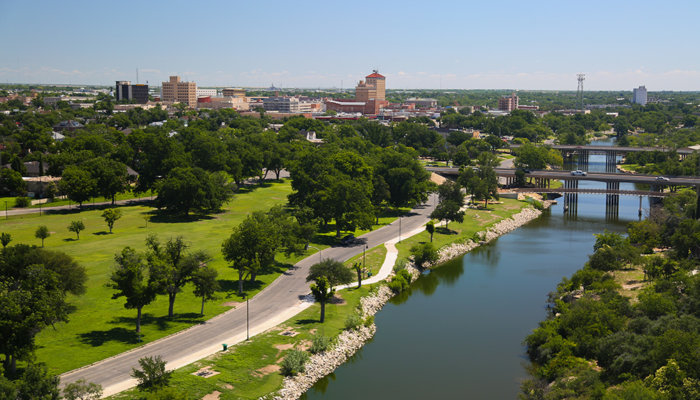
[101, 327]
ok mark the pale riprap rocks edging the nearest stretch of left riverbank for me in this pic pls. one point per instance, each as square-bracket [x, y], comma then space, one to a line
[347, 343]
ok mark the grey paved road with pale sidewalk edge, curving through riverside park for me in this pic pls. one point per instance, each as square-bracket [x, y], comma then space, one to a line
[277, 302]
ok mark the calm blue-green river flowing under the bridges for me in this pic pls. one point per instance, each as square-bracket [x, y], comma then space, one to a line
[458, 332]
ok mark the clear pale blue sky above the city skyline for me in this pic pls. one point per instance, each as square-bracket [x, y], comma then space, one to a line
[415, 44]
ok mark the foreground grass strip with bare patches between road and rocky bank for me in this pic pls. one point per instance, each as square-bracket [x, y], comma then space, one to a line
[250, 369]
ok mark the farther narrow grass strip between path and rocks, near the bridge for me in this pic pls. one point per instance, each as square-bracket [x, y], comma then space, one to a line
[475, 220]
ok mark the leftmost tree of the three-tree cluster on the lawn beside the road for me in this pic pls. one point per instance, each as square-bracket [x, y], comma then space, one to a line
[131, 279]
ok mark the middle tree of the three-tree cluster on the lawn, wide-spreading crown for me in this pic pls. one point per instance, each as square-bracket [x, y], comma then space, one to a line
[171, 267]
